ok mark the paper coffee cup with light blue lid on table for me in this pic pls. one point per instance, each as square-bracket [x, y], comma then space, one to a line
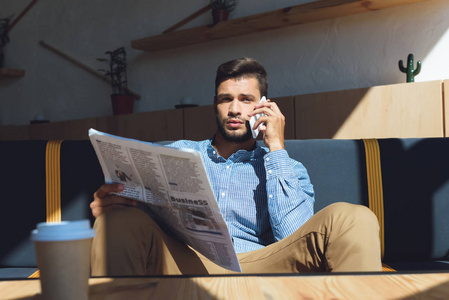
[63, 258]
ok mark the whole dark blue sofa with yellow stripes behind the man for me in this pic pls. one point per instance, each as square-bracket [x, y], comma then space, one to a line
[413, 183]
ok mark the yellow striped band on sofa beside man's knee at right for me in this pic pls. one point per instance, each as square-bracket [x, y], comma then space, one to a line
[375, 189]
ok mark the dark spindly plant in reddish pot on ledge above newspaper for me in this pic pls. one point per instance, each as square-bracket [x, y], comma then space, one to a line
[122, 100]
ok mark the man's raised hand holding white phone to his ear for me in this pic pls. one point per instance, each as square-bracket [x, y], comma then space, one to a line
[273, 124]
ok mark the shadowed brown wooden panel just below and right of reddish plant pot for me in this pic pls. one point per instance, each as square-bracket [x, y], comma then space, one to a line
[152, 126]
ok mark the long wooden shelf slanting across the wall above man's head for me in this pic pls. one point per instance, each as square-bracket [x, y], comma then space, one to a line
[295, 15]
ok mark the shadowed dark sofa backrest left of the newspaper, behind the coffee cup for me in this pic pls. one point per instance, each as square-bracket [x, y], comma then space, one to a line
[23, 194]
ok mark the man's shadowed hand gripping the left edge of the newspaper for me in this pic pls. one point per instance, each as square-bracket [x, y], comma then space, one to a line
[104, 201]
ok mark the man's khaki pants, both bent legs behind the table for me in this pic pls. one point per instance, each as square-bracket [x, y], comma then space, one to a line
[341, 237]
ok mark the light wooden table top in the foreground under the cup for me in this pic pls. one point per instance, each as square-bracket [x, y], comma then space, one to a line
[340, 286]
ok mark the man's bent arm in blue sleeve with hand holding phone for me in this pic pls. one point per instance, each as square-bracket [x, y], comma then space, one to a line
[289, 191]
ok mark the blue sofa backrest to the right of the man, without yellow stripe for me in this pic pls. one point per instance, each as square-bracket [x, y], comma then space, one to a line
[415, 181]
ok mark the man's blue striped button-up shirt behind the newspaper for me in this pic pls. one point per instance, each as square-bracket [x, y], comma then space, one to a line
[263, 196]
